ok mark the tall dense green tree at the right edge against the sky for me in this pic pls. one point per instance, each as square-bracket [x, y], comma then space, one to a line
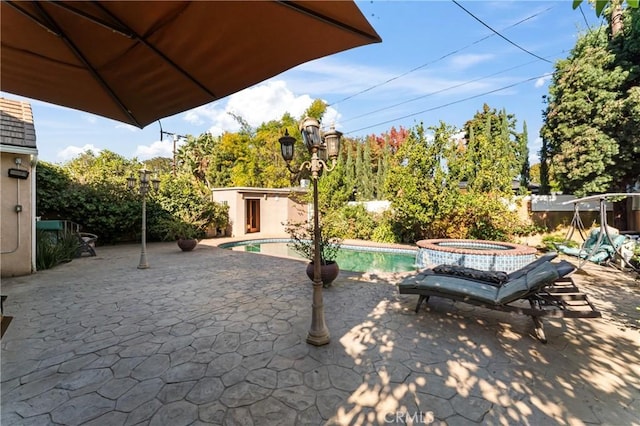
[592, 120]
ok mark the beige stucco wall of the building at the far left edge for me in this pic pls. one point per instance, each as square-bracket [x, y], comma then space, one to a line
[15, 228]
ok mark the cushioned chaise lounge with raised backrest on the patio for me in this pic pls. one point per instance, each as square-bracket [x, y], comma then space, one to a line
[545, 285]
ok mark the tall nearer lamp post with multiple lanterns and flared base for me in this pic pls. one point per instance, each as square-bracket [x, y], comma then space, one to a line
[320, 147]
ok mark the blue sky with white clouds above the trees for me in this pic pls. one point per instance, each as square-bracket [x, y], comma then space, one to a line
[436, 62]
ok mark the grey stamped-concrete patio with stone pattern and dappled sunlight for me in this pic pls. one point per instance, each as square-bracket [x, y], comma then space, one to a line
[215, 336]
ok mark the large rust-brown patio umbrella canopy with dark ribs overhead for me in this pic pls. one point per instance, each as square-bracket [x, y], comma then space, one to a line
[140, 61]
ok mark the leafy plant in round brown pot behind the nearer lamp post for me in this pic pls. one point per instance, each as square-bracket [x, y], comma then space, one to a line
[301, 234]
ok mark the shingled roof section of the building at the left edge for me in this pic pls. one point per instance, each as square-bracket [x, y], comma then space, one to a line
[16, 124]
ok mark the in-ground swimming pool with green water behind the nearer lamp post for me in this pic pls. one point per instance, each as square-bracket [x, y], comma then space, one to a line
[350, 257]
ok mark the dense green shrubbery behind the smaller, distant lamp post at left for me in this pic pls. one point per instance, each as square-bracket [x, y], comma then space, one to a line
[91, 190]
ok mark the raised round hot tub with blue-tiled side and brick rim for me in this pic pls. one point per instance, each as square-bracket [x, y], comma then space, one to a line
[478, 254]
